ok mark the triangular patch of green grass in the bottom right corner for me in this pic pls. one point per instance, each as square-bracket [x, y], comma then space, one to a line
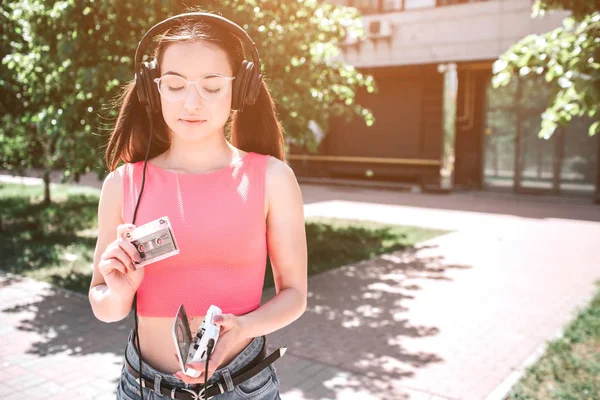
[570, 367]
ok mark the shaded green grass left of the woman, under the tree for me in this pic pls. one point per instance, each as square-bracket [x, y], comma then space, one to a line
[52, 243]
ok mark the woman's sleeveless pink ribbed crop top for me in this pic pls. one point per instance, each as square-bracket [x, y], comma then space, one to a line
[218, 221]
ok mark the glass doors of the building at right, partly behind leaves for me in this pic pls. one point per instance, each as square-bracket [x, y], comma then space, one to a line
[516, 157]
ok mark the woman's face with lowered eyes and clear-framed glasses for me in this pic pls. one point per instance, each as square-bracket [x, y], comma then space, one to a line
[193, 61]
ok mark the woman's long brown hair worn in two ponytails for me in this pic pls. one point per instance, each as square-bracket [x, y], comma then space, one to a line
[256, 129]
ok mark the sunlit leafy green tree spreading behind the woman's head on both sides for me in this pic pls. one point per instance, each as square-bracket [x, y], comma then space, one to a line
[72, 57]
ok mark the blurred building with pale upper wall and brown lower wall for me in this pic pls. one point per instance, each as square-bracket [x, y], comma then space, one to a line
[438, 121]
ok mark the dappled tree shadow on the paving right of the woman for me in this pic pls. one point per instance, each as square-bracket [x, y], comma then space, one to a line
[356, 321]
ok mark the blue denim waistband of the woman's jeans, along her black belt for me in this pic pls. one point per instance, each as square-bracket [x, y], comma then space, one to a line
[248, 354]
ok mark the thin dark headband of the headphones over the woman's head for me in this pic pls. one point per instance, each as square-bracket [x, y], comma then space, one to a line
[199, 16]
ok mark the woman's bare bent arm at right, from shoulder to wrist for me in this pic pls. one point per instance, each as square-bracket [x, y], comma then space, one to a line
[286, 237]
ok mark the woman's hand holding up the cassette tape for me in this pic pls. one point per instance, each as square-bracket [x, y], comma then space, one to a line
[117, 264]
